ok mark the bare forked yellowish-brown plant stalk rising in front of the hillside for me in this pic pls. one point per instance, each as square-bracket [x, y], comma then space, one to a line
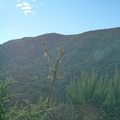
[53, 69]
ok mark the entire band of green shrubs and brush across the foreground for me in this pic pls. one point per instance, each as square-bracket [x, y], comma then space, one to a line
[90, 98]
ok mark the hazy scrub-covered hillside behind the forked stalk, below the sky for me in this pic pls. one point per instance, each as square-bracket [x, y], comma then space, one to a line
[98, 49]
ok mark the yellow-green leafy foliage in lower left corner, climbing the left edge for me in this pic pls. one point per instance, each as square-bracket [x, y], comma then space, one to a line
[24, 111]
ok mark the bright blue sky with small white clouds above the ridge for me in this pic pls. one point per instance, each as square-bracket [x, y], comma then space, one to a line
[30, 18]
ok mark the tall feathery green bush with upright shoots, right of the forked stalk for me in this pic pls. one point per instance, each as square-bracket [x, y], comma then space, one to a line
[100, 95]
